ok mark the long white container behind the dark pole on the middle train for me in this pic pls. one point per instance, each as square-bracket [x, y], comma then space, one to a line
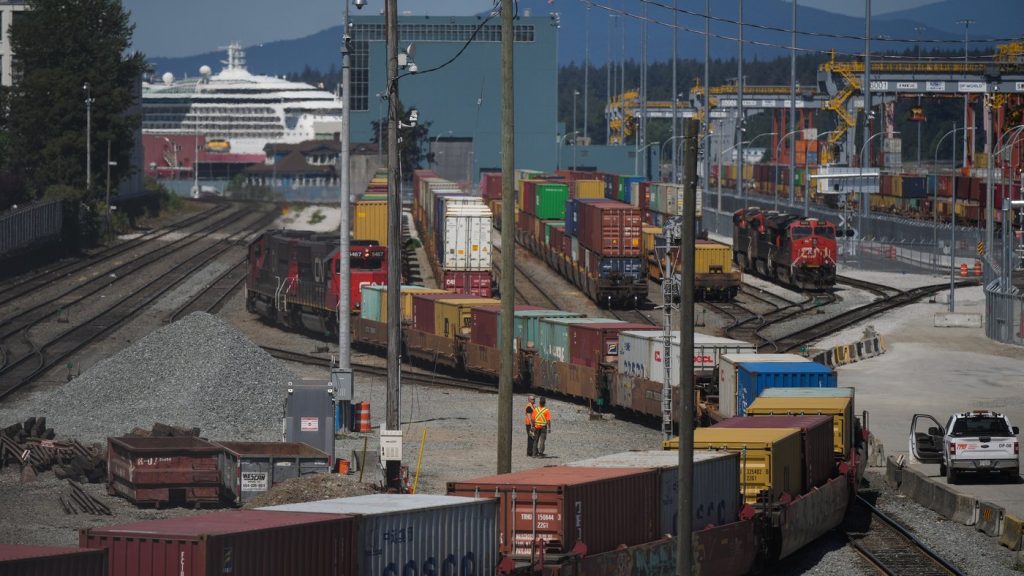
[707, 351]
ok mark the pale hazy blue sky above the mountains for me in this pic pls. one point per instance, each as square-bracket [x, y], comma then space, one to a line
[192, 27]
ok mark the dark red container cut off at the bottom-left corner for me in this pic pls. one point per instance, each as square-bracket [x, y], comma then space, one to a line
[49, 561]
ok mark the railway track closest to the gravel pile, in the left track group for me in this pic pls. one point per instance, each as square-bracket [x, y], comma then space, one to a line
[22, 371]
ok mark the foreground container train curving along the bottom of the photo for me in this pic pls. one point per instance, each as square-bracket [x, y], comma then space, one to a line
[764, 487]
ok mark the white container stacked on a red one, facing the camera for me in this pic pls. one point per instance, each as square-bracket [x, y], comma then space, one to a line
[467, 238]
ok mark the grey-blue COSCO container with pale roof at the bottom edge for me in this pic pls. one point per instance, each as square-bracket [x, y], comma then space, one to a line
[435, 534]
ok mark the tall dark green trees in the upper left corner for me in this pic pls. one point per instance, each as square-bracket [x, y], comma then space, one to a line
[60, 47]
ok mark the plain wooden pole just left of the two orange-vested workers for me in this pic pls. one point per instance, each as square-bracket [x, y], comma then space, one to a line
[508, 245]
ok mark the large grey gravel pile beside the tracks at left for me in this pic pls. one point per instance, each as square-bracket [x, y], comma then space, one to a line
[199, 373]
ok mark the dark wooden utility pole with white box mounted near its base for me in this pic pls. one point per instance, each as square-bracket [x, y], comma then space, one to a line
[394, 468]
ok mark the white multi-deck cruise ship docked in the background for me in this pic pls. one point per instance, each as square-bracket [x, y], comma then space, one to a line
[239, 111]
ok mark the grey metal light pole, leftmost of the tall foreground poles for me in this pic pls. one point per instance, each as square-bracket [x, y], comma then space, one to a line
[342, 376]
